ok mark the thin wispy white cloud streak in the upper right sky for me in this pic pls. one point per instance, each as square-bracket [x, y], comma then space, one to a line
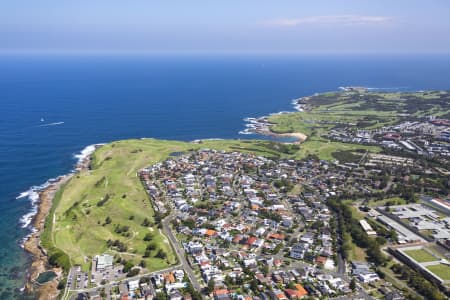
[334, 20]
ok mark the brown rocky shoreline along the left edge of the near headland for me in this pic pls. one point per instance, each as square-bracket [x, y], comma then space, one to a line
[39, 258]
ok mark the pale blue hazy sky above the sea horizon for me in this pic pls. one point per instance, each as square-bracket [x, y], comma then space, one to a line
[333, 26]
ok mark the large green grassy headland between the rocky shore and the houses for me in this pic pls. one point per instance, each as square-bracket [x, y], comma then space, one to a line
[77, 224]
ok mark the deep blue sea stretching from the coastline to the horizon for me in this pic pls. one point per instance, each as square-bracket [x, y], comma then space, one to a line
[54, 106]
